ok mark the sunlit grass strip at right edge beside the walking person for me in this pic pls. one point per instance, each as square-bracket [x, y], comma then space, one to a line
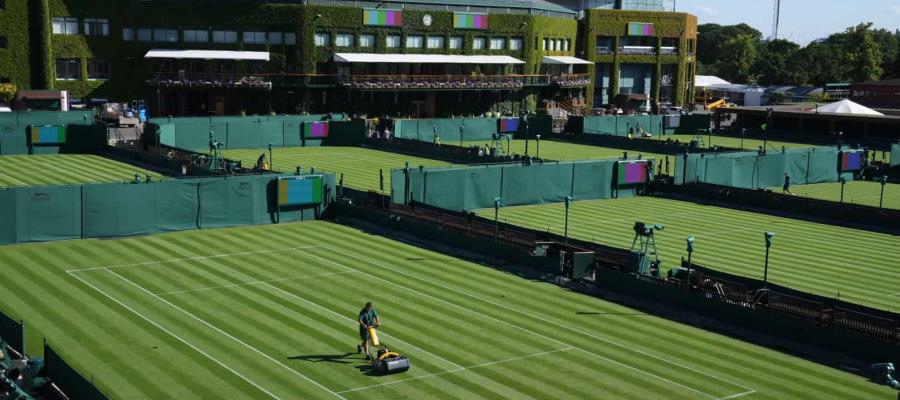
[865, 193]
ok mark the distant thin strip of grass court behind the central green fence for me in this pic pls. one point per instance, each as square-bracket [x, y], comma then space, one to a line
[563, 151]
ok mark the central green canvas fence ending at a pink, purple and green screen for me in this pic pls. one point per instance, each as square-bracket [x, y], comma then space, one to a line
[474, 187]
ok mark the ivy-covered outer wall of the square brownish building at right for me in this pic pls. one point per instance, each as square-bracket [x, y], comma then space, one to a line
[614, 23]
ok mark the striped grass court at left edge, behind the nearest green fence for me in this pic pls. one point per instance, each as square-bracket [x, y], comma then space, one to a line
[58, 169]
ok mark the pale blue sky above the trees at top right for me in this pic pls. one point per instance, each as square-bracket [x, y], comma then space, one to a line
[802, 21]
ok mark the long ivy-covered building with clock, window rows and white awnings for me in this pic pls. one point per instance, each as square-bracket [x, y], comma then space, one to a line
[417, 57]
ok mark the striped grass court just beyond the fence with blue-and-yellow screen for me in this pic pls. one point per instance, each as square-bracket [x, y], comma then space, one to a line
[360, 166]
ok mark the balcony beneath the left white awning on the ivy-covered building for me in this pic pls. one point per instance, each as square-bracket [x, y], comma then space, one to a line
[208, 81]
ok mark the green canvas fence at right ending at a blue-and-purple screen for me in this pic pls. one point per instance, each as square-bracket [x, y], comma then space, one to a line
[752, 170]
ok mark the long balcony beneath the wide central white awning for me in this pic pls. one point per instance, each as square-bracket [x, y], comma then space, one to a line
[442, 82]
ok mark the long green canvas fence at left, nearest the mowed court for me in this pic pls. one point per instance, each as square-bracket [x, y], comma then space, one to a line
[107, 210]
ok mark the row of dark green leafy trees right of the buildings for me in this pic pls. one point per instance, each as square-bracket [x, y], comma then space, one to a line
[738, 54]
